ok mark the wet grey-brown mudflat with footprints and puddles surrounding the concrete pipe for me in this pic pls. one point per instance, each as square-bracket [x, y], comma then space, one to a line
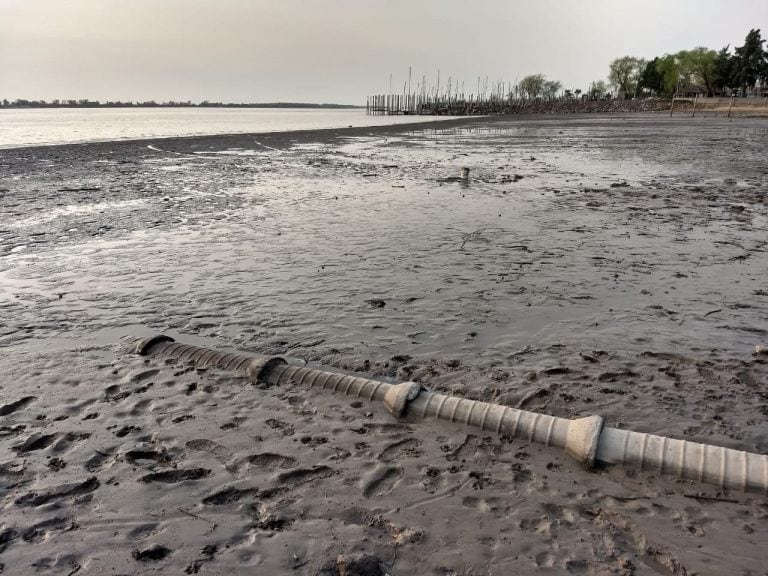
[590, 265]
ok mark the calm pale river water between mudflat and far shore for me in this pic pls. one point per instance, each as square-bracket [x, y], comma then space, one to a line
[67, 125]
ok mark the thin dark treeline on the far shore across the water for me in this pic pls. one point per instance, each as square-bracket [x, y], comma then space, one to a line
[84, 103]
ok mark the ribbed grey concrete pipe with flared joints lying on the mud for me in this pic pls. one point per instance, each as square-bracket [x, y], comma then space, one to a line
[584, 439]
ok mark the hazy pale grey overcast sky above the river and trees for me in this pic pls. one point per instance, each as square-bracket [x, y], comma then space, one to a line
[336, 50]
